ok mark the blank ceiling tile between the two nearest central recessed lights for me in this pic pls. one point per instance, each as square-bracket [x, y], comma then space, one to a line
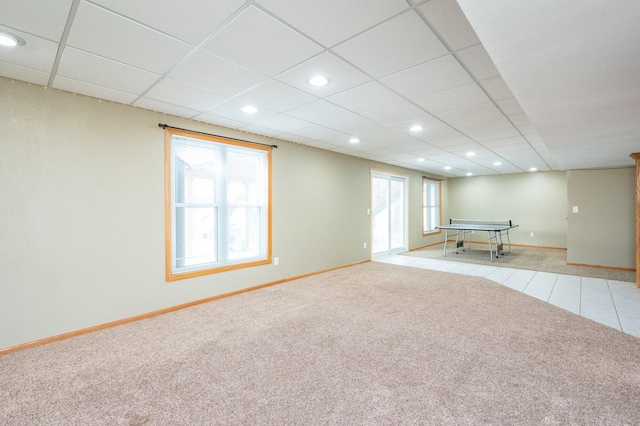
[277, 96]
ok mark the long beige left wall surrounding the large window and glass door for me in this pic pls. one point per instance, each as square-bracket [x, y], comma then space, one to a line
[82, 214]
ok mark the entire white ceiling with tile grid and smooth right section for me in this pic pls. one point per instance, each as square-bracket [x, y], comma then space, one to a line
[497, 87]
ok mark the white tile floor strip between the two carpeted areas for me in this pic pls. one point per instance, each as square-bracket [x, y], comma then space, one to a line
[612, 303]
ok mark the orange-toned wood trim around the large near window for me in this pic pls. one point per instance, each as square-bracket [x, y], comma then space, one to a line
[174, 276]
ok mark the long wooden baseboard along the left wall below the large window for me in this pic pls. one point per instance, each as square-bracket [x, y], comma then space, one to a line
[147, 315]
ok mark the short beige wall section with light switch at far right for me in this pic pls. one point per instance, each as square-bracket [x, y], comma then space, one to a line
[603, 230]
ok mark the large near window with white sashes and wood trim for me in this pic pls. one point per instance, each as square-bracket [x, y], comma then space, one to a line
[217, 204]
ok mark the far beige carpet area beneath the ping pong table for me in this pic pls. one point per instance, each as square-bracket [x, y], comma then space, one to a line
[530, 258]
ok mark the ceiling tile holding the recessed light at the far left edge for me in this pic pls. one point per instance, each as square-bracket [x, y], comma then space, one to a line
[38, 53]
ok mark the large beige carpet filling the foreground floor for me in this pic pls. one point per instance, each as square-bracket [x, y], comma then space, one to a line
[371, 344]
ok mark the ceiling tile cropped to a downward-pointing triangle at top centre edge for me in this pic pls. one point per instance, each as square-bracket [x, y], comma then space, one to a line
[331, 21]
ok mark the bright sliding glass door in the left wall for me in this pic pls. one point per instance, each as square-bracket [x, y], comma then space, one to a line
[388, 213]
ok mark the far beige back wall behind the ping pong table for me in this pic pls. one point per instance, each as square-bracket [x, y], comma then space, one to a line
[535, 201]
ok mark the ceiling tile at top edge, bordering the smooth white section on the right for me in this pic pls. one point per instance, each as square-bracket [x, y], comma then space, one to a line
[449, 21]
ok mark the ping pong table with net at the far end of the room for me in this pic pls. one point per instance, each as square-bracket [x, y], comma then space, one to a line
[464, 228]
